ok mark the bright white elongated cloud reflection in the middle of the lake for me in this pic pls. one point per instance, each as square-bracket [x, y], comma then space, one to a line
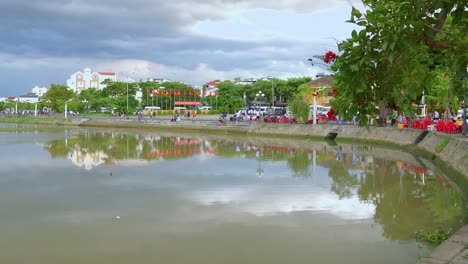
[263, 202]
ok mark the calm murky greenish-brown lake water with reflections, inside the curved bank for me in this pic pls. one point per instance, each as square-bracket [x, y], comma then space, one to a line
[85, 196]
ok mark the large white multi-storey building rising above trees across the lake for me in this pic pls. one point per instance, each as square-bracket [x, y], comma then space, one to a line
[80, 81]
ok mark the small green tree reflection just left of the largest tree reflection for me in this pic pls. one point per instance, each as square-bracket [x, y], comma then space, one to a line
[343, 181]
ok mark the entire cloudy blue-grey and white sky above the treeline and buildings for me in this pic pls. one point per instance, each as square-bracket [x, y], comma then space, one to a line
[45, 41]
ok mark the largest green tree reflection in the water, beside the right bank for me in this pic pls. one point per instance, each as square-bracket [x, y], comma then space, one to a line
[404, 204]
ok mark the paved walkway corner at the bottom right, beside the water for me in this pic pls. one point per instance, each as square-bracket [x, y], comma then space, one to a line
[453, 251]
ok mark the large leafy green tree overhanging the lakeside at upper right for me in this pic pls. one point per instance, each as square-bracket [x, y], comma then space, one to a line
[394, 52]
